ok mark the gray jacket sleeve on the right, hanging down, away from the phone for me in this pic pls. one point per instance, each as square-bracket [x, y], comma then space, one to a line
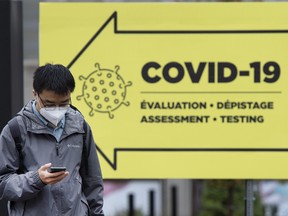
[92, 177]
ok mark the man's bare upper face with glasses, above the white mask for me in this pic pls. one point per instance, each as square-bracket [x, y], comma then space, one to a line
[50, 99]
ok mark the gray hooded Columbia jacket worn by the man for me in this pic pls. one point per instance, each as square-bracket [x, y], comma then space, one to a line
[76, 195]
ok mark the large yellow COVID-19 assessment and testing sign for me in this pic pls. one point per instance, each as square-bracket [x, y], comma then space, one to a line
[177, 90]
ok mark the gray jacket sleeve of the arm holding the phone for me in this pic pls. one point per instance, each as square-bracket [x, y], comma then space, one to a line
[15, 186]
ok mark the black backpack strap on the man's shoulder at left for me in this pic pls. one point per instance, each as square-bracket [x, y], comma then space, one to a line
[16, 134]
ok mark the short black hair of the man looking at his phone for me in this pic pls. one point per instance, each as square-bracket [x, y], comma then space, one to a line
[53, 77]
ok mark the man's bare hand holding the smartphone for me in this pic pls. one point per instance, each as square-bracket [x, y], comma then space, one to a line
[51, 178]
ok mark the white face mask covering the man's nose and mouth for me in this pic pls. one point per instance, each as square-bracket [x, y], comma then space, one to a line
[54, 115]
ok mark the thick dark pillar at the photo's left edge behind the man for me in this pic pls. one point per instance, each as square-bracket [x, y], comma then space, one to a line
[11, 61]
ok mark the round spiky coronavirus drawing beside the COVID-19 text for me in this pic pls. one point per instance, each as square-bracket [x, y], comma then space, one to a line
[104, 90]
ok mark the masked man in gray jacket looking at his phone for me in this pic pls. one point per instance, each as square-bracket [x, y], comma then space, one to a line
[52, 134]
